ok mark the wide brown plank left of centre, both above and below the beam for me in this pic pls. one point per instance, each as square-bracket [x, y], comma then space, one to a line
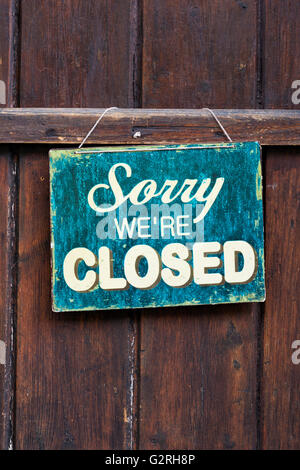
[74, 371]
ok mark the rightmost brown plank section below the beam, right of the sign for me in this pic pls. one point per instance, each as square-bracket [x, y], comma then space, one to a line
[281, 378]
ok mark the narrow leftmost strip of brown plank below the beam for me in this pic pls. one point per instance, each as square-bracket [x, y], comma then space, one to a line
[8, 308]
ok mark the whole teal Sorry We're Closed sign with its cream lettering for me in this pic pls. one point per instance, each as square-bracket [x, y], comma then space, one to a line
[156, 226]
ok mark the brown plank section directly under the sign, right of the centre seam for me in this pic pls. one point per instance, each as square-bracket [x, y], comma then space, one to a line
[198, 378]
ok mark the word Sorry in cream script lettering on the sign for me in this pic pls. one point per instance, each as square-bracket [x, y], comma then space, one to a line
[145, 190]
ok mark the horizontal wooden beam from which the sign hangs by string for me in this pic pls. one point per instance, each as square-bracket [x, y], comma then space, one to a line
[147, 126]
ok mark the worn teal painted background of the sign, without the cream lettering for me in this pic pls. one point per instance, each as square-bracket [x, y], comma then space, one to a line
[235, 215]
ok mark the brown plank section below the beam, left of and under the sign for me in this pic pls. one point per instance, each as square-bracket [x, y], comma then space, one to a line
[72, 370]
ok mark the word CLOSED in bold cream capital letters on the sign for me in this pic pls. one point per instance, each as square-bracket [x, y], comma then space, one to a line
[177, 271]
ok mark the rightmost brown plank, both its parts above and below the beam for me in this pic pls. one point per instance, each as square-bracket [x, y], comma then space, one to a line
[280, 377]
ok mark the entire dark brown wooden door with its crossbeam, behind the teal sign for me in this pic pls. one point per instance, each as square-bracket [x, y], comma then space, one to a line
[206, 377]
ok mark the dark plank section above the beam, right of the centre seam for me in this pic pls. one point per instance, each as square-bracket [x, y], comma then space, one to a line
[199, 54]
